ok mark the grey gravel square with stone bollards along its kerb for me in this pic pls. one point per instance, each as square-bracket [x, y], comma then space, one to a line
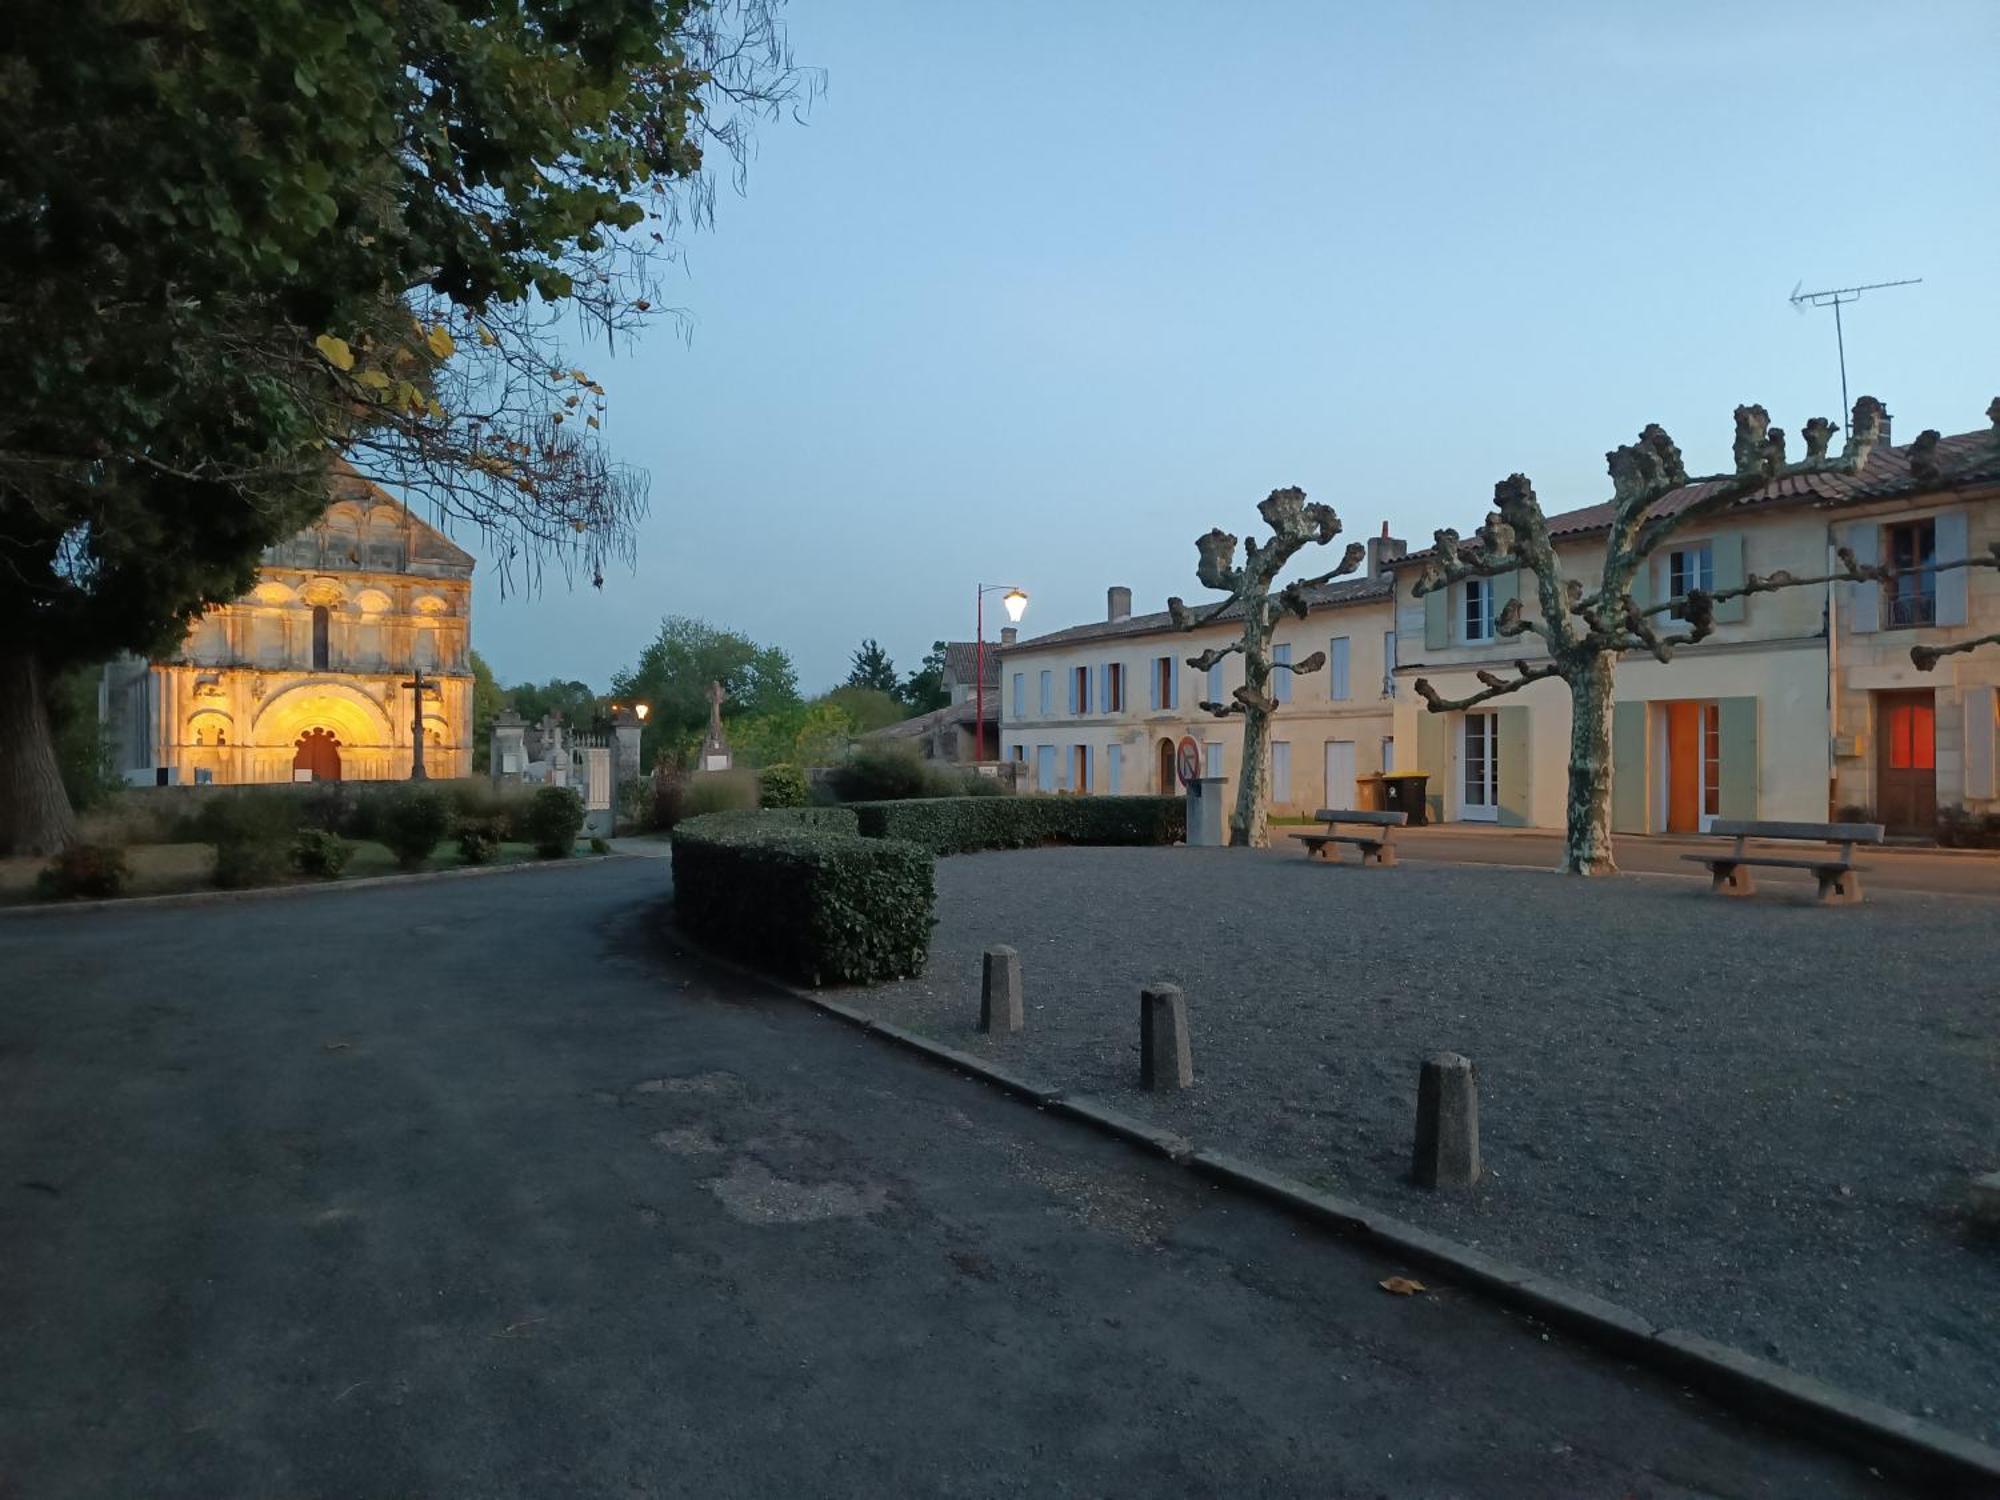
[1751, 1119]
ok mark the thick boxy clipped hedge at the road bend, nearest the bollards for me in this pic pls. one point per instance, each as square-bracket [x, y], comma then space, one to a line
[803, 895]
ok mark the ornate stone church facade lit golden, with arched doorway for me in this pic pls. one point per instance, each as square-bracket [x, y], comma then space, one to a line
[309, 675]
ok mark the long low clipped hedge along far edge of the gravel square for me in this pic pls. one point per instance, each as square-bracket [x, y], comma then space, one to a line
[961, 825]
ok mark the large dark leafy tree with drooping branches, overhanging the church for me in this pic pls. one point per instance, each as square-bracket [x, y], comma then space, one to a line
[239, 237]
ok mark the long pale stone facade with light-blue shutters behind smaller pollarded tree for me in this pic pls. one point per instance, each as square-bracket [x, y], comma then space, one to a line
[1101, 709]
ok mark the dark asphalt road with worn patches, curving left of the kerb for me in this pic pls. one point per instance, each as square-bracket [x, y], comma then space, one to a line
[477, 1189]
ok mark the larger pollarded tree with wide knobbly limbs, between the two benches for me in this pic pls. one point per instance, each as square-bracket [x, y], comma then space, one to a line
[1583, 631]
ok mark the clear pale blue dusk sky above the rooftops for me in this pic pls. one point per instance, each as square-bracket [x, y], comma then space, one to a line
[1041, 293]
